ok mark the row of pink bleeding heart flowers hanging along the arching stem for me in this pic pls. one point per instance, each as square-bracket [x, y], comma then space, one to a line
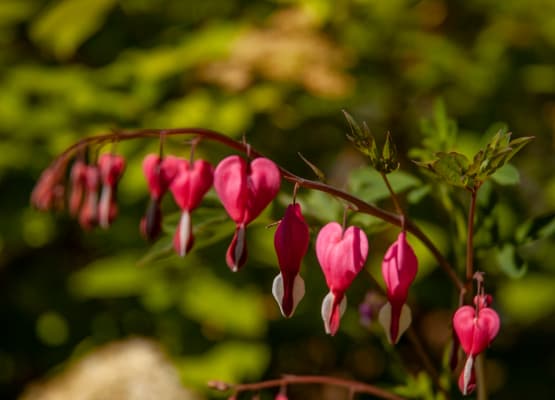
[245, 188]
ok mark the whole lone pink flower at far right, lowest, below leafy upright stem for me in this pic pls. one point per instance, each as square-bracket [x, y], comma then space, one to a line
[476, 327]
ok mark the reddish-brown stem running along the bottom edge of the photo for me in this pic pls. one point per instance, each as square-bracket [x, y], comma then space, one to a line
[352, 386]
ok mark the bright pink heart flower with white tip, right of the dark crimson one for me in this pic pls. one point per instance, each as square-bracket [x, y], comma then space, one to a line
[341, 254]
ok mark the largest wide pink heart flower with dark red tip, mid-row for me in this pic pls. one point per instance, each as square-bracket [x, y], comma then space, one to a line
[245, 190]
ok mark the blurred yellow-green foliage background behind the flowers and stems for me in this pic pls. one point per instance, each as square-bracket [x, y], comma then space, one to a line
[278, 72]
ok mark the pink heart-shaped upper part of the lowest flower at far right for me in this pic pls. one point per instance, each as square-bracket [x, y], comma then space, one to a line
[475, 333]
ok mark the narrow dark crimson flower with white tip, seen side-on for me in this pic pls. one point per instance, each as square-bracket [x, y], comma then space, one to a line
[291, 244]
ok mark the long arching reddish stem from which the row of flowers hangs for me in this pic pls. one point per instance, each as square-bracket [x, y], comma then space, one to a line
[355, 203]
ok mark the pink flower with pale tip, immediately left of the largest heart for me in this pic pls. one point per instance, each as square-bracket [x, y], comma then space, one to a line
[188, 188]
